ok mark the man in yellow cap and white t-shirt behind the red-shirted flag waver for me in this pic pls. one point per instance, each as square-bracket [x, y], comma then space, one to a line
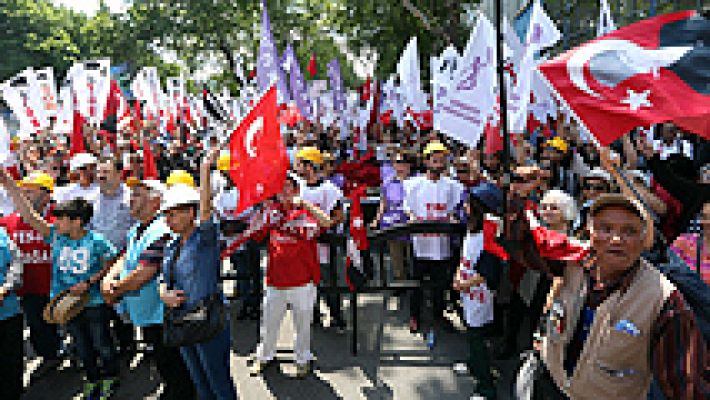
[328, 197]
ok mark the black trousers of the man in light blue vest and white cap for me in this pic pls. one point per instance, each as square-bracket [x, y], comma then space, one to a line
[170, 365]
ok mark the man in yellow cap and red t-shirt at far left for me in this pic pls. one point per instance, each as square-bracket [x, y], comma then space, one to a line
[35, 256]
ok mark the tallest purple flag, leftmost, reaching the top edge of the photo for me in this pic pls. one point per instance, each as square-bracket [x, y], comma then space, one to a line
[268, 68]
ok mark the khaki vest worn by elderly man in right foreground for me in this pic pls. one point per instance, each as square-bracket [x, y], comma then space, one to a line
[613, 364]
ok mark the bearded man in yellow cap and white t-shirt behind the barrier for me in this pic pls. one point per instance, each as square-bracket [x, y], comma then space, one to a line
[432, 197]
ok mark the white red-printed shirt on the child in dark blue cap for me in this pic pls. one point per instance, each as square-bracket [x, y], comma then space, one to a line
[477, 300]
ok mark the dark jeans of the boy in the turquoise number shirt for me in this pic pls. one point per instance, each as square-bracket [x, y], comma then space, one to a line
[90, 331]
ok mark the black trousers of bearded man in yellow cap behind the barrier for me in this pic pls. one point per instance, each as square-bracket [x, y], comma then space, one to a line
[440, 277]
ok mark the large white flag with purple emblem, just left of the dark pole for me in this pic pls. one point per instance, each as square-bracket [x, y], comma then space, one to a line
[463, 112]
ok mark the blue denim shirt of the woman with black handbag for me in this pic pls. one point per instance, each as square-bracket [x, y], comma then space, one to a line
[196, 271]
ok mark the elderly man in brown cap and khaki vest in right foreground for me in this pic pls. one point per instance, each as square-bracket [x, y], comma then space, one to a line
[617, 323]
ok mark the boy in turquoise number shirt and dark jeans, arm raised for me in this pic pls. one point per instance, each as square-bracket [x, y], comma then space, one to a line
[80, 259]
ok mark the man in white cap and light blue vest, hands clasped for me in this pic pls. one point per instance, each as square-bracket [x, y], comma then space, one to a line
[134, 281]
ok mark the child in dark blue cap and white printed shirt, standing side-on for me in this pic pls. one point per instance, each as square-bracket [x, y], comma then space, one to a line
[476, 296]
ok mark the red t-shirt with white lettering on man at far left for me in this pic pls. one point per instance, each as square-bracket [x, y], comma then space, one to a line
[36, 254]
